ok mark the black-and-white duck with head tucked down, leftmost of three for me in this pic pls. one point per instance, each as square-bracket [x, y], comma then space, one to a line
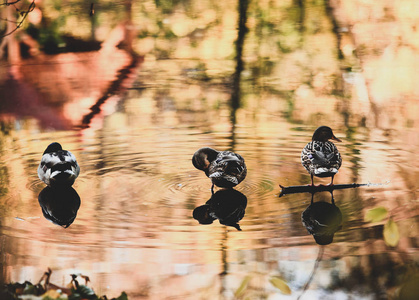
[58, 167]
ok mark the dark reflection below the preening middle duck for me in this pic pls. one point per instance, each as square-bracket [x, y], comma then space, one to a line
[226, 205]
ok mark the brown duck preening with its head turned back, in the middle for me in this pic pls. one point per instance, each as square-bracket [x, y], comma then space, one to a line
[226, 169]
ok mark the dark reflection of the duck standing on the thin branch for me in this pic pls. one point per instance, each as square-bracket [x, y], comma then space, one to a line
[322, 220]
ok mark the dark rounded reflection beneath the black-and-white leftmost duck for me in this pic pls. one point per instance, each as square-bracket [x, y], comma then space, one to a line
[59, 204]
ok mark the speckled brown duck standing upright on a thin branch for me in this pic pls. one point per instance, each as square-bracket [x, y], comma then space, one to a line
[321, 157]
